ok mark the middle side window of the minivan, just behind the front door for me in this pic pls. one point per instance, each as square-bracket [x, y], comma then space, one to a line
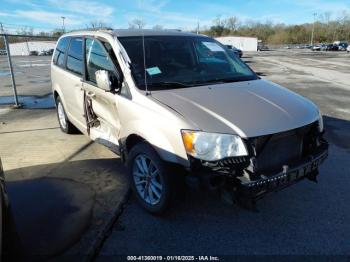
[75, 56]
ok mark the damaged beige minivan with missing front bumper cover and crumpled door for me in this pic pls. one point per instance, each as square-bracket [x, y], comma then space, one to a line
[177, 105]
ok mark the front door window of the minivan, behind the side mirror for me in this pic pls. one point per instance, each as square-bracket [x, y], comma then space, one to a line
[96, 59]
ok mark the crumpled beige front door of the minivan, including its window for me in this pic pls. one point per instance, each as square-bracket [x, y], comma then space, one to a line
[101, 112]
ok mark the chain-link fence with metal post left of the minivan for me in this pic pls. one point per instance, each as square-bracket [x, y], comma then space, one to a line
[25, 68]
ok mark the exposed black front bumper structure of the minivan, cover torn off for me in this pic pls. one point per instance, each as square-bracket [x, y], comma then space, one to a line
[246, 186]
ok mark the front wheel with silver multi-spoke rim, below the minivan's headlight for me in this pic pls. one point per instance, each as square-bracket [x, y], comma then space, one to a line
[150, 178]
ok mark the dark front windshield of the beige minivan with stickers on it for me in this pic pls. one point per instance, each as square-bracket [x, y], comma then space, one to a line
[183, 61]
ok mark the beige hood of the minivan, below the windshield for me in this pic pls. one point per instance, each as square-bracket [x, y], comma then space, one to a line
[249, 109]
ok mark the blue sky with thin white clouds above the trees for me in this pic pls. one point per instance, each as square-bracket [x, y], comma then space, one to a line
[45, 15]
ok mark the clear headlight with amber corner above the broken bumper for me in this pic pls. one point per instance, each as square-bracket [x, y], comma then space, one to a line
[212, 147]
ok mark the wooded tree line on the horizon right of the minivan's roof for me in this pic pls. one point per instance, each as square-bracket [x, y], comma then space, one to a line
[326, 30]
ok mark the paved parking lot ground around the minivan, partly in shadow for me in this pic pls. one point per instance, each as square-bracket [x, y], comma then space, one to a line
[306, 219]
